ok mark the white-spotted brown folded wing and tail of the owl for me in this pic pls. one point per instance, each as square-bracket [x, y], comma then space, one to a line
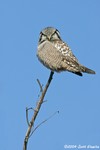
[72, 63]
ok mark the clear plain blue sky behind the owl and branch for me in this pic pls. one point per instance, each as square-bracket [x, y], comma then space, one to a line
[76, 98]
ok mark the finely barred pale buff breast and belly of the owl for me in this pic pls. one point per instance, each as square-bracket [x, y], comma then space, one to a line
[50, 56]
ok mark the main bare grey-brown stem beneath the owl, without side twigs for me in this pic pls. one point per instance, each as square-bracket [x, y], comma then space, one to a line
[36, 111]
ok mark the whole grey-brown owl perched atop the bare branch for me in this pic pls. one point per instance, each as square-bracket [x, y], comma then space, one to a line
[56, 54]
